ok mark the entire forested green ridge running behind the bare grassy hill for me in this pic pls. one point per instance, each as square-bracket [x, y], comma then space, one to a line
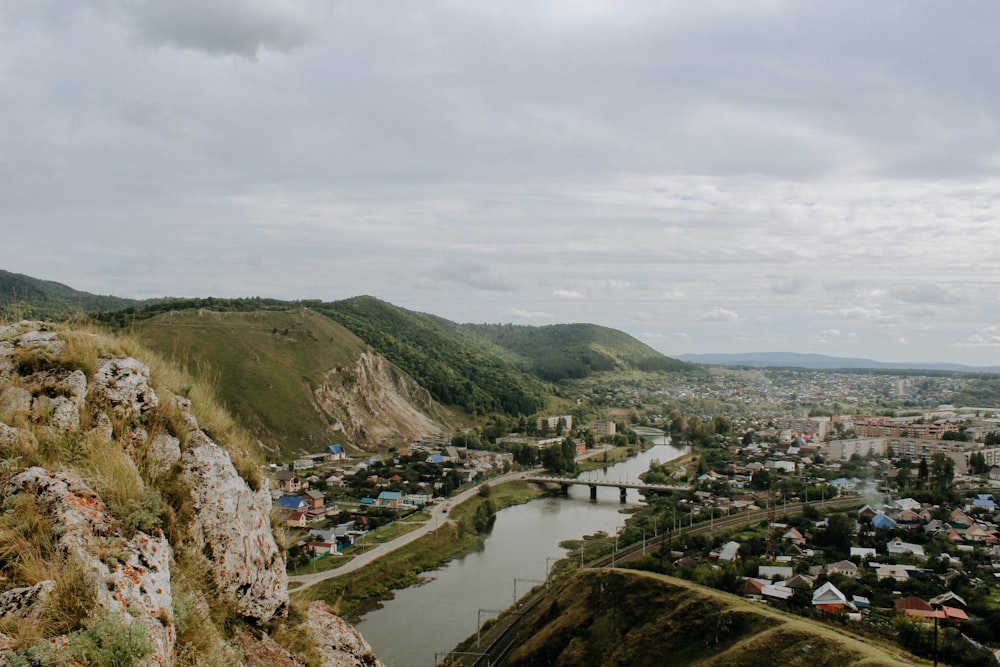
[480, 368]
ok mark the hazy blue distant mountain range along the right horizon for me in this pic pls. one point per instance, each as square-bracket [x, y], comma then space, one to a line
[821, 362]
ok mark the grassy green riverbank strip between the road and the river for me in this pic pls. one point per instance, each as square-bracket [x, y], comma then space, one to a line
[350, 597]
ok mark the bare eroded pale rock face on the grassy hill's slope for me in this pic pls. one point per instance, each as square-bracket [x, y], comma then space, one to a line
[375, 402]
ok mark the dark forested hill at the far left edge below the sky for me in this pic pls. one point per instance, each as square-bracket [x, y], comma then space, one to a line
[24, 297]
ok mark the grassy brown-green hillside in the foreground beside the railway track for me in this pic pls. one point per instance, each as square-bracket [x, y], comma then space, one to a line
[616, 617]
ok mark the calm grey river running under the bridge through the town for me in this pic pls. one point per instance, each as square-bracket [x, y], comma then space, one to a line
[422, 621]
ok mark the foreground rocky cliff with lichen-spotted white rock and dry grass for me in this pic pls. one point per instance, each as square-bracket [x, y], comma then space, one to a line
[131, 531]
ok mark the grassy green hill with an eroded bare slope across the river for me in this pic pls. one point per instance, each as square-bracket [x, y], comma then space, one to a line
[297, 380]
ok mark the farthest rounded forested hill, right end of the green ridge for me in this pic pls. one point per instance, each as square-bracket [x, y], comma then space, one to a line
[572, 351]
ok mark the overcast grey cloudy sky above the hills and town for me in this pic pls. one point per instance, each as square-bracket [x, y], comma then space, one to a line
[743, 176]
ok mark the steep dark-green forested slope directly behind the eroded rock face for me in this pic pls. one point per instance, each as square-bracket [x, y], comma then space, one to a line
[457, 368]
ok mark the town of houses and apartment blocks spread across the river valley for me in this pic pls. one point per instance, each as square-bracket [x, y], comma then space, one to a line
[914, 539]
